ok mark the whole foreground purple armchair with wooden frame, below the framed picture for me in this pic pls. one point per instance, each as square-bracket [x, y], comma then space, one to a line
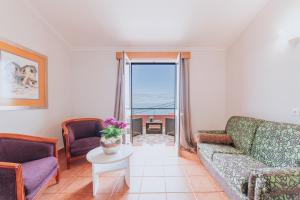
[27, 164]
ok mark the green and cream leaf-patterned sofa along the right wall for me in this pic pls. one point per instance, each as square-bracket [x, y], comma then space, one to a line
[262, 163]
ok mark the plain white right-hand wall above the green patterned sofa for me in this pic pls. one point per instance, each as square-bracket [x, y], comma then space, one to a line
[263, 74]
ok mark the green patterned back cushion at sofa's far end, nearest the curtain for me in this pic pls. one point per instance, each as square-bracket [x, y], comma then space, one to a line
[242, 131]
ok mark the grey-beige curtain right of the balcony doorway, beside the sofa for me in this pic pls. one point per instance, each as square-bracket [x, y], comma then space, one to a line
[186, 135]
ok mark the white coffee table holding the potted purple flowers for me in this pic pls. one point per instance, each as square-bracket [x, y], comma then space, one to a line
[105, 163]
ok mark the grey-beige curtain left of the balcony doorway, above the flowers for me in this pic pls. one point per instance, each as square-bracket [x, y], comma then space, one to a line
[119, 111]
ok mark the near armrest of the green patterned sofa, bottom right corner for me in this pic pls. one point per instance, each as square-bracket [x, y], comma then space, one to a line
[281, 183]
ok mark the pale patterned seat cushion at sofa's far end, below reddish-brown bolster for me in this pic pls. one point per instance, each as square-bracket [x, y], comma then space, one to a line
[208, 150]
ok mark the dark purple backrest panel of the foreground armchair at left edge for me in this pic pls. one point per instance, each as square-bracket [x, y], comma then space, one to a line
[20, 151]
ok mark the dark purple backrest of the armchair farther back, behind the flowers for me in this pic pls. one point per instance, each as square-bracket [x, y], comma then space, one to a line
[83, 129]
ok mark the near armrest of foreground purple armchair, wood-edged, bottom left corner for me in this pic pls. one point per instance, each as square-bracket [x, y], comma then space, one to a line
[11, 181]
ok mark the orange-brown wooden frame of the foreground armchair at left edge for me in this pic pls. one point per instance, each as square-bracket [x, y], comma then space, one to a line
[18, 167]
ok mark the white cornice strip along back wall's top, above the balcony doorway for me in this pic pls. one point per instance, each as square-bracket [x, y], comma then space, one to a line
[149, 49]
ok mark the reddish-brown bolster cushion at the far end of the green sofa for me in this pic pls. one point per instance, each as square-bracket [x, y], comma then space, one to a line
[215, 138]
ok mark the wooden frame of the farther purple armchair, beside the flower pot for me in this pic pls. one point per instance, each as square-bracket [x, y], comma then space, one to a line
[65, 133]
